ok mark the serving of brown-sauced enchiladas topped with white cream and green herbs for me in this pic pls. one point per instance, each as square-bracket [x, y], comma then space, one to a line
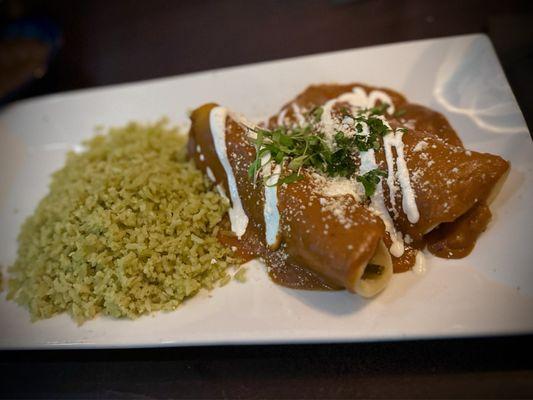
[346, 184]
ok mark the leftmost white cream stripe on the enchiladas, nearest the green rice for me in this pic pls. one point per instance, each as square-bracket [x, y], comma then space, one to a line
[217, 123]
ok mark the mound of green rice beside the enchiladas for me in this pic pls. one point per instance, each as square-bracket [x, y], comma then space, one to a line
[128, 227]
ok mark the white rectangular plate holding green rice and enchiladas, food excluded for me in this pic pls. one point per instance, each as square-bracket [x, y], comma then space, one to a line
[488, 293]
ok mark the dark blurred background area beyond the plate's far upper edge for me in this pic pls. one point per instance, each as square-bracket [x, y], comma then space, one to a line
[103, 42]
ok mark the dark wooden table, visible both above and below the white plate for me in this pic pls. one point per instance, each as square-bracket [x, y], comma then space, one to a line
[109, 42]
